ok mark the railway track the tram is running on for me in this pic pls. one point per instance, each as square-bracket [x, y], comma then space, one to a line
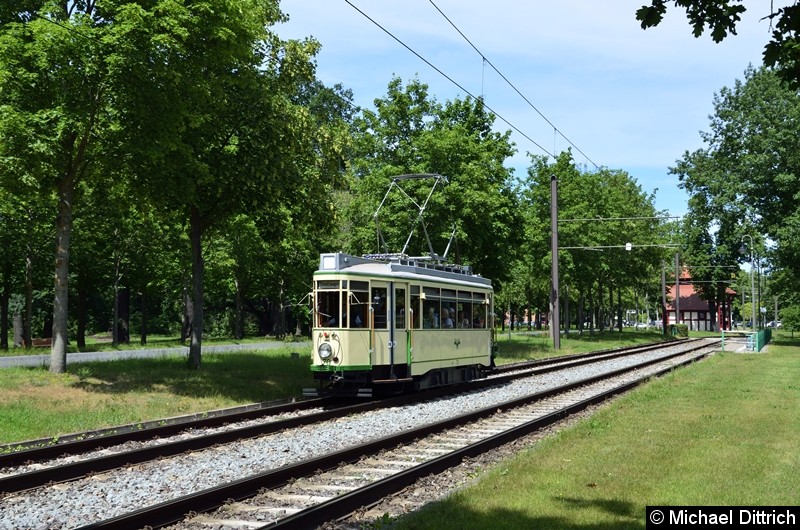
[191, 432]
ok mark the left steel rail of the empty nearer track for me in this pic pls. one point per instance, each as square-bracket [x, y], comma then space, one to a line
[170, 512]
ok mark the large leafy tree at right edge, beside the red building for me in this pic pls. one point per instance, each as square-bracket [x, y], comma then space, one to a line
[746, 180]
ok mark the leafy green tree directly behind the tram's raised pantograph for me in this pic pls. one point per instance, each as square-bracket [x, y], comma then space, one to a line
[409, 132]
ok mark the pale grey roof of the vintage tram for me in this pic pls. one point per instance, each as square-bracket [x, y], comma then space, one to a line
[395, 264]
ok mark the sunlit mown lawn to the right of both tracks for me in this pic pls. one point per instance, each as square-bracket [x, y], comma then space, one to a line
[722, 432]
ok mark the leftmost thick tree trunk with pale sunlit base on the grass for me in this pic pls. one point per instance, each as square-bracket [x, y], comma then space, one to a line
[58, 352]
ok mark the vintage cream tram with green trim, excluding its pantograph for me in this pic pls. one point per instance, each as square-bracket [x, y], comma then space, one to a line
[384, 324]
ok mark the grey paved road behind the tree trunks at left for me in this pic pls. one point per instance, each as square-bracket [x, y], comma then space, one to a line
[82, 357]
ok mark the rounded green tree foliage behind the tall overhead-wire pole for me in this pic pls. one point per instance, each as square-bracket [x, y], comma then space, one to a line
[599, 212]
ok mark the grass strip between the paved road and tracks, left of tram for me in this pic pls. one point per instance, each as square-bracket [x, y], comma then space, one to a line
[35, 403]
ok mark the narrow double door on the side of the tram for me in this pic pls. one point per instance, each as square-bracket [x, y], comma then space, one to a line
[389, 309]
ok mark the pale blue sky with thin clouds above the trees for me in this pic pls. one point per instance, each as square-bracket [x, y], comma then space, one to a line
[629, 99]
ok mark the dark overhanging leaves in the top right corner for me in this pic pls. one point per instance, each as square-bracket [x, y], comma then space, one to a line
[722, 16]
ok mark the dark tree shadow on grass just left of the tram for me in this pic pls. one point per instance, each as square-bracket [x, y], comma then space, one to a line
[240, 376]
